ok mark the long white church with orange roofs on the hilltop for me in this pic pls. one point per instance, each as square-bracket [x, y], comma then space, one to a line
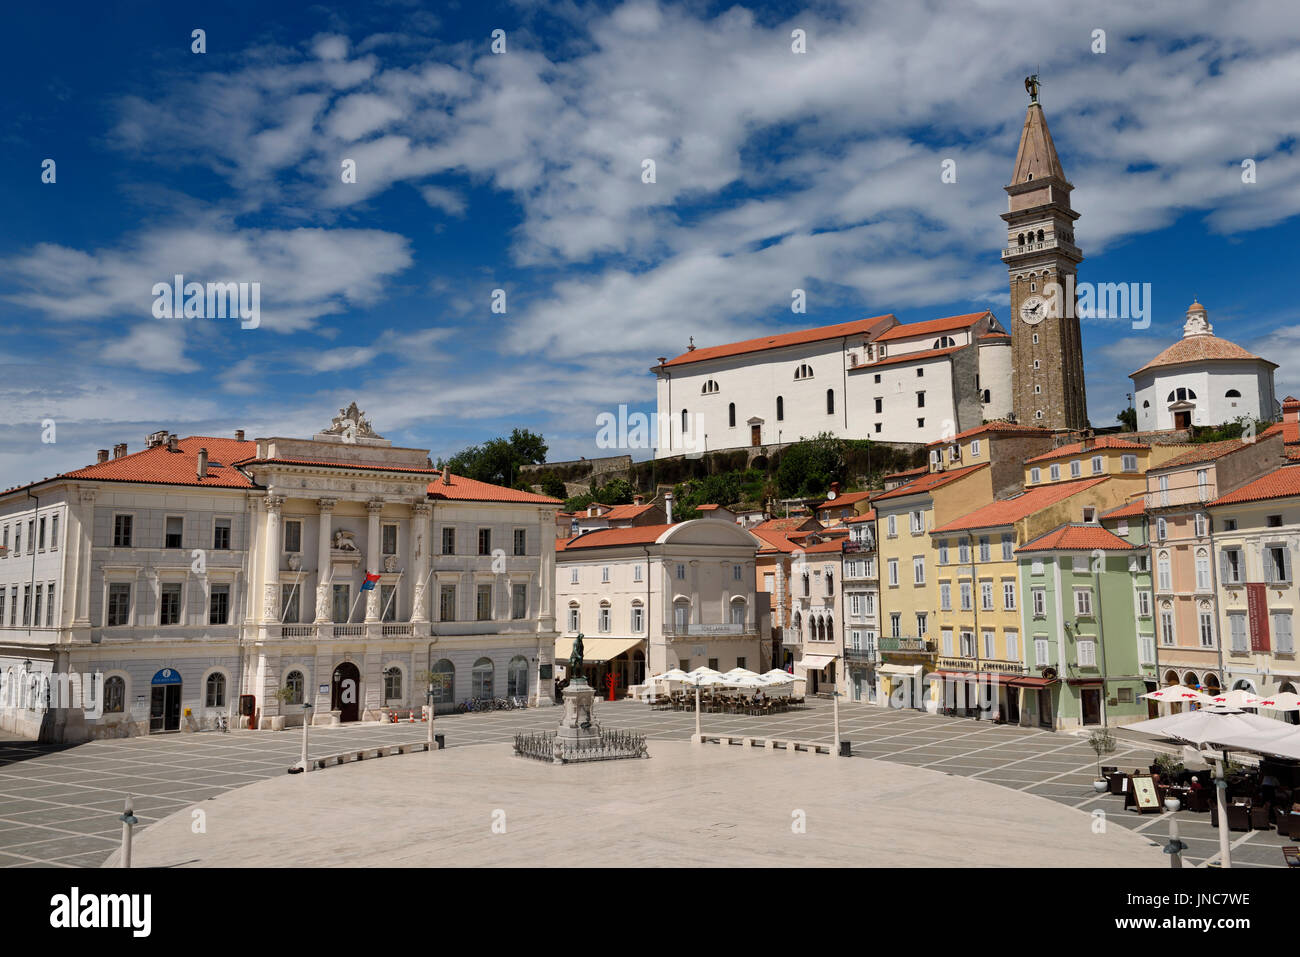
[872, 379]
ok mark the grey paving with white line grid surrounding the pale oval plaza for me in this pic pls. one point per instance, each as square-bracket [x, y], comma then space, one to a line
[60, 806]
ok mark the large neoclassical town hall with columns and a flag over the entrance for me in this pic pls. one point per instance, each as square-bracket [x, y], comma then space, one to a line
[209, 577]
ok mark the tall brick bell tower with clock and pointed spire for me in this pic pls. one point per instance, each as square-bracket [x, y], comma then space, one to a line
[1042, 262]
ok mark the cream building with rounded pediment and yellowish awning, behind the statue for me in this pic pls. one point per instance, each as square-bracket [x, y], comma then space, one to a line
[674, 596]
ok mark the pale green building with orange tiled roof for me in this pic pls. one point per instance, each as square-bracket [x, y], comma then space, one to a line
[1087, 622]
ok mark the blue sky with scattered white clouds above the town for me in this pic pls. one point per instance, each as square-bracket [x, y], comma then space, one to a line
[523, 172]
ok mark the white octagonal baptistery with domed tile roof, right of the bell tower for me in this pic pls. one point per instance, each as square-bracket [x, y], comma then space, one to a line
[1203, 380]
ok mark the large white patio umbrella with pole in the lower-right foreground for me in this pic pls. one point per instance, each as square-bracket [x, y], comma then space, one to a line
[1227, 730]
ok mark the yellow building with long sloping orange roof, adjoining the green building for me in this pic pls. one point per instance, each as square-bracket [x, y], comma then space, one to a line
[981, 626]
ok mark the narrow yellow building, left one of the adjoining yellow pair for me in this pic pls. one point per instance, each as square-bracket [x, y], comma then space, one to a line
[908, 595]
